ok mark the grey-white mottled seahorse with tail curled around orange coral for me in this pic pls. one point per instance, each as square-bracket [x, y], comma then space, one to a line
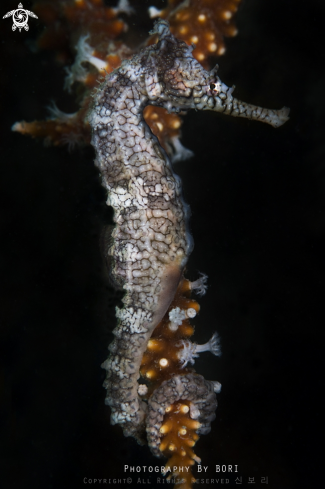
[151, 243]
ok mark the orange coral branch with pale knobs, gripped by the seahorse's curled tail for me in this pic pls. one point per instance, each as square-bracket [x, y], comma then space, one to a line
[160, 362]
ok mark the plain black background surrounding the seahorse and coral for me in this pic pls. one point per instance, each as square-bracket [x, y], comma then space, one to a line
[257, 196]
